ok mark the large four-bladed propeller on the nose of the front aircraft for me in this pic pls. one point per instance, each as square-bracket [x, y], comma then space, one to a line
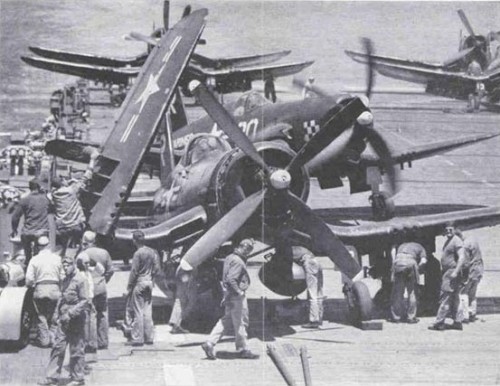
[275, 197]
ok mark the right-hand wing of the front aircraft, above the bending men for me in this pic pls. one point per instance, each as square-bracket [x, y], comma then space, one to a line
[362, 236]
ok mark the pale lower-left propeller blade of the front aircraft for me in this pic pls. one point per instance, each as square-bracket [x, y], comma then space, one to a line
[223, 230]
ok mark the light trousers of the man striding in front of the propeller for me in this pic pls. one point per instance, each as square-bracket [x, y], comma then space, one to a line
[235, 319]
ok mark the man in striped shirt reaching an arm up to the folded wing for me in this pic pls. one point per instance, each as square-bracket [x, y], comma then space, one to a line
[70, 218]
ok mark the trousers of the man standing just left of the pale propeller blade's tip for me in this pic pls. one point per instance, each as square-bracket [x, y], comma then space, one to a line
[142, 305]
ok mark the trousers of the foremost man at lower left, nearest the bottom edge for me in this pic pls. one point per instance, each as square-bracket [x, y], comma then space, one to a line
[72, 333]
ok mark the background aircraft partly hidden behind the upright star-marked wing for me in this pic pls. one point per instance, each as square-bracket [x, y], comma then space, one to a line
[223, 75]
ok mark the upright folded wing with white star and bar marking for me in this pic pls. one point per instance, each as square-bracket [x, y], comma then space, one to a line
[141, 115]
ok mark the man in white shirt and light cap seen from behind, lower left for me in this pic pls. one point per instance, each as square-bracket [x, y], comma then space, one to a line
[45, 274]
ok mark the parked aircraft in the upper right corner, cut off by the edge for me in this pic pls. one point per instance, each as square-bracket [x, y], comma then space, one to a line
[452, 78]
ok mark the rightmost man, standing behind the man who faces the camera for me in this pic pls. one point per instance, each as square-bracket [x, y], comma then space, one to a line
[474, 263]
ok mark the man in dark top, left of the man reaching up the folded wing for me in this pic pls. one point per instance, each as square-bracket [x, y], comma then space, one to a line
[35, 209]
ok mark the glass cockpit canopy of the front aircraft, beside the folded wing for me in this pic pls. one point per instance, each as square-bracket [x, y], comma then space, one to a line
[202, 146]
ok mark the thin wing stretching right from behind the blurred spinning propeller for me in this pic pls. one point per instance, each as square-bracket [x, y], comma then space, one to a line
[424, 151]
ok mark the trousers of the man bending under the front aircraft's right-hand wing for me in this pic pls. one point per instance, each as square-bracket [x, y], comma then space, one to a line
[404, 280]
